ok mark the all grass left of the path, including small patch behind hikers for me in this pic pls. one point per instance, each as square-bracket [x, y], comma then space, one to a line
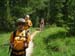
[4, 38]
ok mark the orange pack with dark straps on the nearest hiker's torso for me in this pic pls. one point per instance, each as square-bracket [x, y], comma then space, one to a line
[20, 42]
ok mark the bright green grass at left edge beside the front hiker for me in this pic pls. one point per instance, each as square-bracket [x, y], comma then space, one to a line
[4, 37]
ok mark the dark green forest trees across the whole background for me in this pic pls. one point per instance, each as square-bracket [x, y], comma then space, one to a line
[58, 12]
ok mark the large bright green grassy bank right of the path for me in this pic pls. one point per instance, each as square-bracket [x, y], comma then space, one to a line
[54, 42]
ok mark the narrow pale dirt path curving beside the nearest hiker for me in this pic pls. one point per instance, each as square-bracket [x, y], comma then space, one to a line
[30, 49]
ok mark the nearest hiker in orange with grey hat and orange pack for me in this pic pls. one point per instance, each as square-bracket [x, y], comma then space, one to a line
[19, 39]
